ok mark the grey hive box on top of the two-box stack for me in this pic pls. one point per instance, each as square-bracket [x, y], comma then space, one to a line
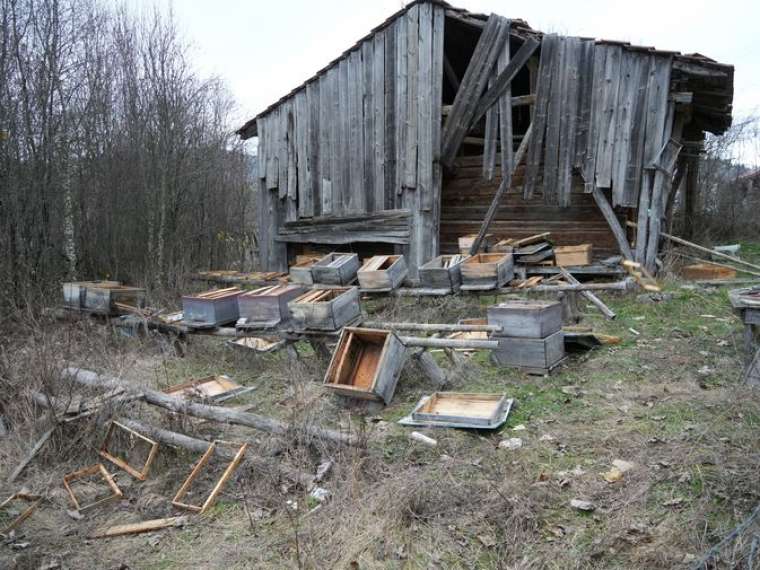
[523, 318]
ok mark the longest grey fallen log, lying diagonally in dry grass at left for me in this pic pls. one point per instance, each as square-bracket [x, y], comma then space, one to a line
[214, 413]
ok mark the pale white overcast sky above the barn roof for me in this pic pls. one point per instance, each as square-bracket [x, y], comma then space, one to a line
[264, 48]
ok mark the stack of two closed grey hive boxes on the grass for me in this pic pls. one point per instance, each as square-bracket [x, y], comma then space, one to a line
[531, 335]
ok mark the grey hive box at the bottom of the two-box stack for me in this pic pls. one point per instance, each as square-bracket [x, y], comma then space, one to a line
[534, 355]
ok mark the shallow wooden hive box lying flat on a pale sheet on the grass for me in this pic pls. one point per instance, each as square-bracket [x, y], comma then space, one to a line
[461, 409]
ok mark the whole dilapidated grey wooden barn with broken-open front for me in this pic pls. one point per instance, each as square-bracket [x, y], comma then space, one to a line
[440, 119]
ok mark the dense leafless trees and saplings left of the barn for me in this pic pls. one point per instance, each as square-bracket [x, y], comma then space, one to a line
[116, 158]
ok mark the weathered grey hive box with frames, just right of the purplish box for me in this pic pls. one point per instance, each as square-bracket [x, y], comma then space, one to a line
[325, 309]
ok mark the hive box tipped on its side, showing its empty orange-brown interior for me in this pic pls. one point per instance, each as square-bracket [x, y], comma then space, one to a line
[366, 364]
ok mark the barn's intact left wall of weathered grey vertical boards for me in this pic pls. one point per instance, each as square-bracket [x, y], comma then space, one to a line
[362, 138]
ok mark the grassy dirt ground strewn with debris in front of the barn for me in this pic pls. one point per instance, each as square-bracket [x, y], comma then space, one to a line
[668, 400]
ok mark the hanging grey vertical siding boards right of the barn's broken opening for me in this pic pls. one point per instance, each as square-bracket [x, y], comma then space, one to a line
[601, 107]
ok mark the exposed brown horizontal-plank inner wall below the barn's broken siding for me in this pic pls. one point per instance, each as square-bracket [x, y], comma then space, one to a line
[467, 196]
